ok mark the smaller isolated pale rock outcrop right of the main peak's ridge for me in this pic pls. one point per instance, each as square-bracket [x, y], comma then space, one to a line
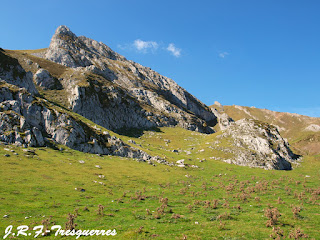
[258, 144]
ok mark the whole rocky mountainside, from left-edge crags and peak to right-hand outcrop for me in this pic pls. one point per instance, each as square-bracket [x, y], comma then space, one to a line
[51, 95]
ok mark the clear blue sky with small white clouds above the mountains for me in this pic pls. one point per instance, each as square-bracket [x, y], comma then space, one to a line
[262, 53]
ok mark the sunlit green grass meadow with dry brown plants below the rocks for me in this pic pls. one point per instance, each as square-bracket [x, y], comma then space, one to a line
[43, 186]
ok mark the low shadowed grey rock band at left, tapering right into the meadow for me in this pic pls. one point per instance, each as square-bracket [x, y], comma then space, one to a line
[30, 121]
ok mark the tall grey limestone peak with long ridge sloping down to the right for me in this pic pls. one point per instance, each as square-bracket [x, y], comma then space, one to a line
[138, 96]
